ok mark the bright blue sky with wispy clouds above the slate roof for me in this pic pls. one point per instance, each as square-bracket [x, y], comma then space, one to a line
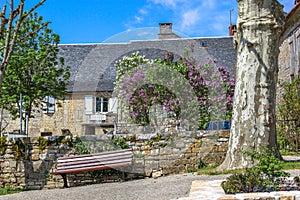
[94, 21]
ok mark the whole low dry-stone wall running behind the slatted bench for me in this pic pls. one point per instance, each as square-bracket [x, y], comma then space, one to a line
[28, 164]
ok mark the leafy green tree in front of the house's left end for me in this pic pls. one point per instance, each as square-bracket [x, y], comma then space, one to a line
[34, 70]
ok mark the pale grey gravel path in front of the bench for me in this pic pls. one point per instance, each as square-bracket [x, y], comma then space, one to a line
[163, 188]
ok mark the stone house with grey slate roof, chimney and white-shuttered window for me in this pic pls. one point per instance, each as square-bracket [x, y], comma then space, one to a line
[89, 108]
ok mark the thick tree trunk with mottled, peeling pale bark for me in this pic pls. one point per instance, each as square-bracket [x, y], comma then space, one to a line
[253, 123]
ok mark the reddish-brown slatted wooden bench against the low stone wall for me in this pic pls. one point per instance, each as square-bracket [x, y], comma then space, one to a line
[90, 162]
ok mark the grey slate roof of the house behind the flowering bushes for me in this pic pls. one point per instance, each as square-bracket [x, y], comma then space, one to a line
[92, 65]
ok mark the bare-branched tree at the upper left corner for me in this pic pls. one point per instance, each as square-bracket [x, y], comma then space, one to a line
[10, 23]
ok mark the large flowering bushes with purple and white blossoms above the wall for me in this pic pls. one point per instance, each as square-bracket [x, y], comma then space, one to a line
[140, 82]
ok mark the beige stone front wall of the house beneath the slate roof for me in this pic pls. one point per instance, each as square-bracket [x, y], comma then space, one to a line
[69, 115]
